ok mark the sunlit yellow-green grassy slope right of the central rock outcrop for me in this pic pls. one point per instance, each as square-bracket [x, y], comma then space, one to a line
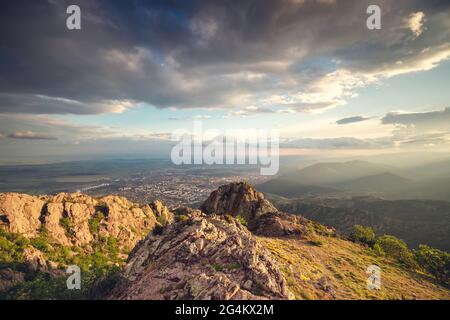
[344, 264]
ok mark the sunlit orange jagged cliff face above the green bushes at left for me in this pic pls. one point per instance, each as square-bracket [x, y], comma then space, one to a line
[77, 219]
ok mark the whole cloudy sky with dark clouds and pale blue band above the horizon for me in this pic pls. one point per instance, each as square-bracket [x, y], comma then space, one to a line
[139, 70]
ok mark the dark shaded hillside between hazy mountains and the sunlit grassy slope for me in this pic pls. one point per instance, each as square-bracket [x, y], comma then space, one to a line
[414, 221]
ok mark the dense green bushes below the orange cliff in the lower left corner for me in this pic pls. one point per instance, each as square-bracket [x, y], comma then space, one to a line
[102, 261]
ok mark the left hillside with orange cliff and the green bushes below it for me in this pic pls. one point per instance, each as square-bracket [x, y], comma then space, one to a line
[41, 235]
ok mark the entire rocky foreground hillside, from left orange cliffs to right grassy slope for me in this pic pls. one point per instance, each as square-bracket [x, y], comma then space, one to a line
[238, 246]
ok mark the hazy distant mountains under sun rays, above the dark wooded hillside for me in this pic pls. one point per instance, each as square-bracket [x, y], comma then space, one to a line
[430, 181]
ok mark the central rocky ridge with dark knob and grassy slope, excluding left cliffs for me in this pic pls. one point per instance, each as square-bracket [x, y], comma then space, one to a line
[241, 247]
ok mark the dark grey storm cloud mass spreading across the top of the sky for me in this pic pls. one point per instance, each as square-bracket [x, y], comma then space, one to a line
[188, 54]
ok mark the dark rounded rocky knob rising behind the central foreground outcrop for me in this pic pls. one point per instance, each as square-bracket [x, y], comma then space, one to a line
[241, 199]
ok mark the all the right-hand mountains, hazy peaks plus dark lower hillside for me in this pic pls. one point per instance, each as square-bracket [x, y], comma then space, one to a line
[394, 201]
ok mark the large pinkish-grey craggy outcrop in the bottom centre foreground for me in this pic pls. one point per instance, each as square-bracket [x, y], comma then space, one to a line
[203, 257]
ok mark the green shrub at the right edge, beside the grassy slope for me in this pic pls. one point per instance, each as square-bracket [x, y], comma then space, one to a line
[434, 261]
